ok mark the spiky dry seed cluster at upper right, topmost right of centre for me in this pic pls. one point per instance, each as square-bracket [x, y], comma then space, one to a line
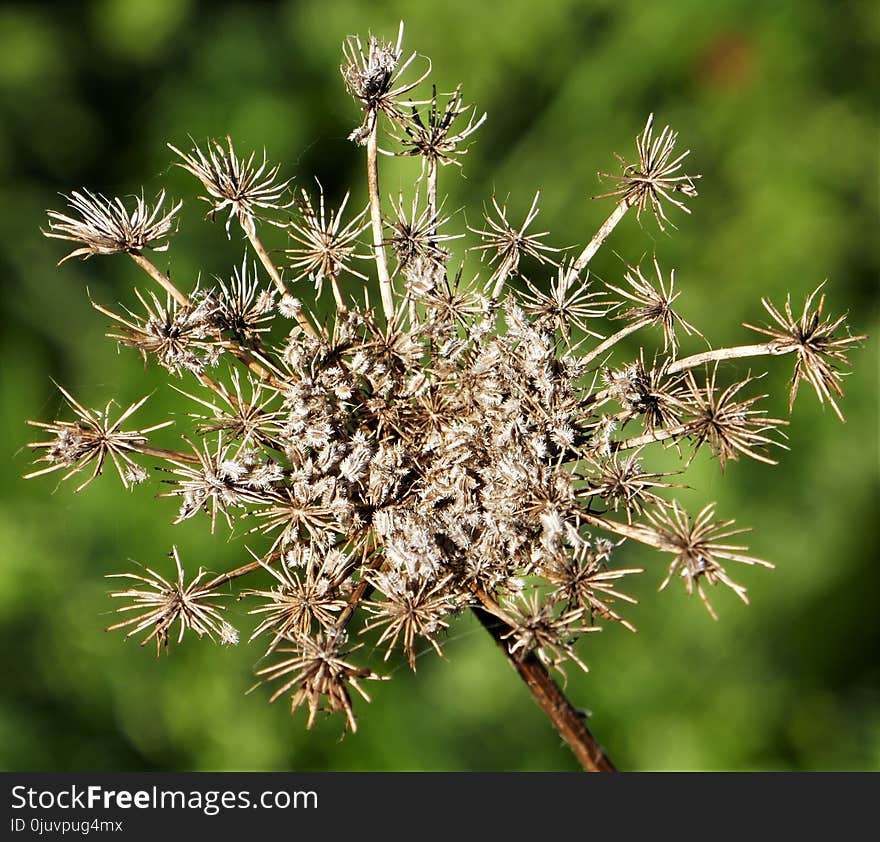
[656, 178]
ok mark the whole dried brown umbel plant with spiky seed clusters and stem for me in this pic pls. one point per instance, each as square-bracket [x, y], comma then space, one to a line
[467, 446]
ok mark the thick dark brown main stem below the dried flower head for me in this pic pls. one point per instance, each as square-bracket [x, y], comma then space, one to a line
[568, 722]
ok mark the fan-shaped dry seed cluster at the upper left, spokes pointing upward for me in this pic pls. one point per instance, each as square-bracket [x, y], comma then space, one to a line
[106, 226]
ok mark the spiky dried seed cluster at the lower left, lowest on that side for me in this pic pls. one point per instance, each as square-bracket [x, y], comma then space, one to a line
[158, 603]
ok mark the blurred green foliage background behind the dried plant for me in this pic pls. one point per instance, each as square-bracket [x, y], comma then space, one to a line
[778, 102]
